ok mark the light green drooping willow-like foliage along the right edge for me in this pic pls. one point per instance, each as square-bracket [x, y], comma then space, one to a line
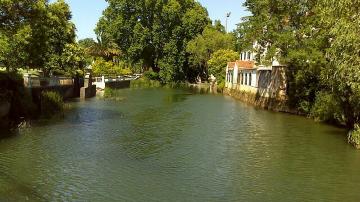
[343, 73]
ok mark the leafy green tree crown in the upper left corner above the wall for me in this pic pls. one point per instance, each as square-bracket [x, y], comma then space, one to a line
[37, 34]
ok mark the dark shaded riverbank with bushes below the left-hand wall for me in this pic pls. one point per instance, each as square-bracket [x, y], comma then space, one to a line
[19, 105]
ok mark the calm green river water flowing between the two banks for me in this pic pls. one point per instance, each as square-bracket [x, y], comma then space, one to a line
[160, 144]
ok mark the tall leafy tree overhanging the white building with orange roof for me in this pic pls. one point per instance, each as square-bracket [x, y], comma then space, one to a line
[289, 32]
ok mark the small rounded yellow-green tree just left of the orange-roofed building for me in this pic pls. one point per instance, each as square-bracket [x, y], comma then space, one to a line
[218, 62]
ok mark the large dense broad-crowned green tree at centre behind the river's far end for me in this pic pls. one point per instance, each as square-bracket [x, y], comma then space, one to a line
[154, 32]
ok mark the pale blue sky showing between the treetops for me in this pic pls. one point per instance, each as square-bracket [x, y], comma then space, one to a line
[87, 12]
